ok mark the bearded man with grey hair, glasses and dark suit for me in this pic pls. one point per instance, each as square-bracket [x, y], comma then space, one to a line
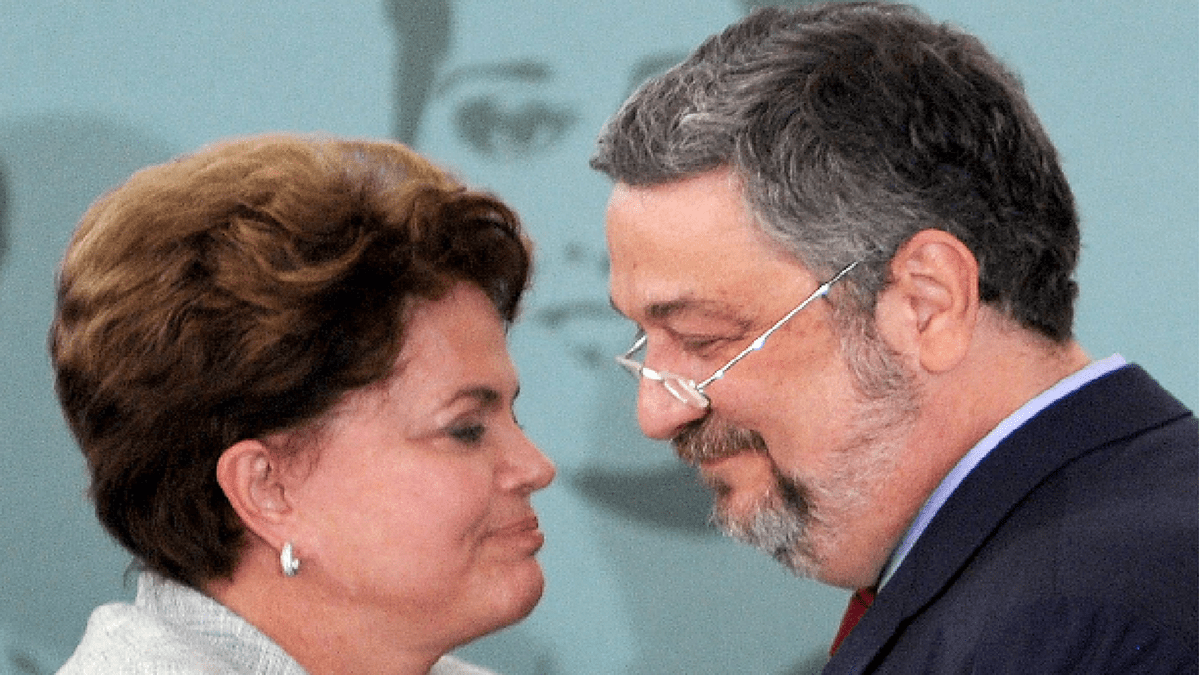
[850, 249]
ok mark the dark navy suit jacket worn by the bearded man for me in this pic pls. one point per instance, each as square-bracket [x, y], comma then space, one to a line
[1071, 548]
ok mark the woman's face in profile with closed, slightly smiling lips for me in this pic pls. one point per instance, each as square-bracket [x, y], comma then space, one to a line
[416, 510]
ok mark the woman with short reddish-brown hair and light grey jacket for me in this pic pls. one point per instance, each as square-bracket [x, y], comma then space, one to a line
[285, 361]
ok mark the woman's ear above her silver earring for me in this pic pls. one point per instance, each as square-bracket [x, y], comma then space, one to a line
[255, 482]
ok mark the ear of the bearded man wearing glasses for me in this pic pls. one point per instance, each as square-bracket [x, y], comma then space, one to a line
[932, 303]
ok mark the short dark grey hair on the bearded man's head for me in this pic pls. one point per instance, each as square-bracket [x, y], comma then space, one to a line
[854, 127]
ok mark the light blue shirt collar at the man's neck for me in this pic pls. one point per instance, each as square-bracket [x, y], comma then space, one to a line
[1012, 423]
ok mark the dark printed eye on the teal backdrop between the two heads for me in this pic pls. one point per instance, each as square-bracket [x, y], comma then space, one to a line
[502, 132]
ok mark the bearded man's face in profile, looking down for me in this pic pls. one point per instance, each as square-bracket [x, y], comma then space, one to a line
[799, 457]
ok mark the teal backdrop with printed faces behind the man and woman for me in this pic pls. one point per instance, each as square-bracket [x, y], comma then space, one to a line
[638, 583]
